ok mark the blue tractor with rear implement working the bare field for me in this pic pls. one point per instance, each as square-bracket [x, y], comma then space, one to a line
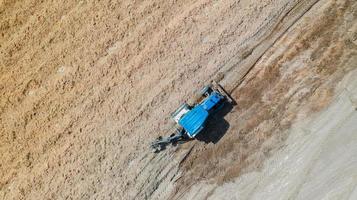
[191, 118]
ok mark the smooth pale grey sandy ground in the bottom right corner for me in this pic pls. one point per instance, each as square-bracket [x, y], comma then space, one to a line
[317, 162]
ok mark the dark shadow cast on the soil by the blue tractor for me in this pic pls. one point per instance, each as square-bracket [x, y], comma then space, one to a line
[216, 126]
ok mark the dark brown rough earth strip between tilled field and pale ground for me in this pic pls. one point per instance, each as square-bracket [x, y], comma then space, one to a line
[299, 72]
